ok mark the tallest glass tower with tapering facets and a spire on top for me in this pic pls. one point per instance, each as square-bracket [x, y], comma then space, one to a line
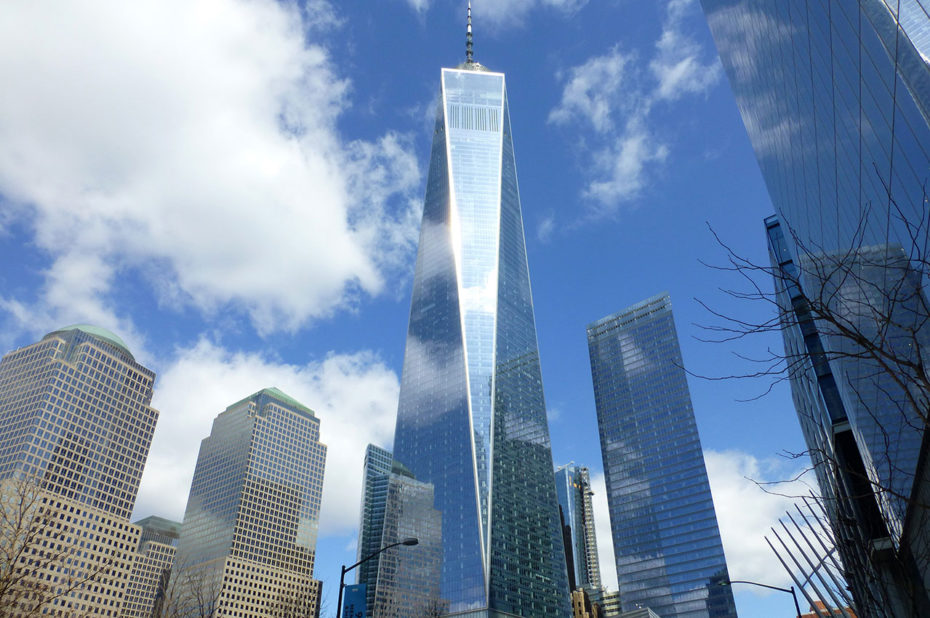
[471, 418]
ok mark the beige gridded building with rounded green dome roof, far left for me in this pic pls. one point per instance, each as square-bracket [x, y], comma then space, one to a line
[75, 431]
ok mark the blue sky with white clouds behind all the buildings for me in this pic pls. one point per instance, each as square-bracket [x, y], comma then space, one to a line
[234, 188]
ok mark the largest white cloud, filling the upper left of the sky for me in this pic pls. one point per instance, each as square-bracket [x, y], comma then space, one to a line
[195, 144]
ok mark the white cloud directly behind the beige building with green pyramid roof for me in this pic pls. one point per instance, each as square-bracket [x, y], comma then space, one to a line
[354, 396]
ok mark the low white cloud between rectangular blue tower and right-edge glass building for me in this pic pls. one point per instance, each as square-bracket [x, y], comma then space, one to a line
[746, 513]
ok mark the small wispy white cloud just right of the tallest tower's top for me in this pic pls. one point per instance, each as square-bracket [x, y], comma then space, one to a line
[591, 91]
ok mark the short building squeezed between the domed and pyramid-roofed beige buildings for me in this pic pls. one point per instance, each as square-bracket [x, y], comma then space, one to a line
[151, 567]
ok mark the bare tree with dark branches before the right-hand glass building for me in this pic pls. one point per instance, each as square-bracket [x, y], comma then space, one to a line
[856, 328]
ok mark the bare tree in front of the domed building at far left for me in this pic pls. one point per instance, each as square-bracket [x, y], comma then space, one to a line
[42, 559]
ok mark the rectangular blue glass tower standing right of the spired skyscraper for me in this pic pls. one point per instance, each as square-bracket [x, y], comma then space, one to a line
[666, 541]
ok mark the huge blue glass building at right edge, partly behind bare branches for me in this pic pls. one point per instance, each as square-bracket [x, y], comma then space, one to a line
[835, 97]
